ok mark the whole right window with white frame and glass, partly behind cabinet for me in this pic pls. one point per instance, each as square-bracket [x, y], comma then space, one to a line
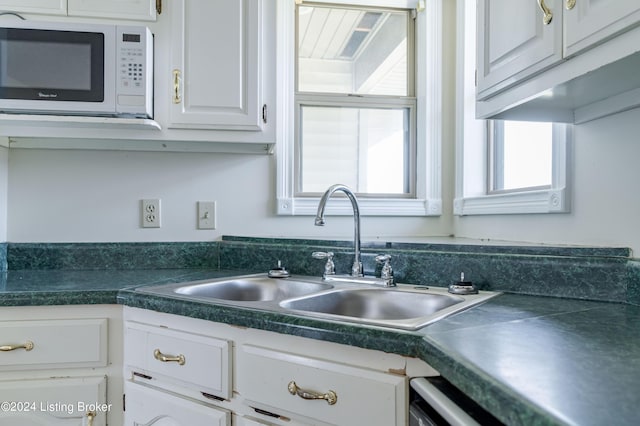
[504, 167]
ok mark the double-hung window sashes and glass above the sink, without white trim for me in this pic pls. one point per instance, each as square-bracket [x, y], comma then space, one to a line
[355, 105]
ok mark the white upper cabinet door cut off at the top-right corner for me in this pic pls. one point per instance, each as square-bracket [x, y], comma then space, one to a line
[589, 22]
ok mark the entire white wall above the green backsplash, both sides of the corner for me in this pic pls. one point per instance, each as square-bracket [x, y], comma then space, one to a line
[80, 196]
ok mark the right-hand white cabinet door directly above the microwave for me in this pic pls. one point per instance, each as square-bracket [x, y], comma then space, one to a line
[144, 10]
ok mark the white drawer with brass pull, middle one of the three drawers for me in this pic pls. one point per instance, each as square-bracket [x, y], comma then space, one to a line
[189, 359]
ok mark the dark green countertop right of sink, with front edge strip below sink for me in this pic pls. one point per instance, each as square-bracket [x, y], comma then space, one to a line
[529, 360]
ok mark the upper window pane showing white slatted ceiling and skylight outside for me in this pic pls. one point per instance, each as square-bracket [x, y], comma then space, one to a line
[352, 51]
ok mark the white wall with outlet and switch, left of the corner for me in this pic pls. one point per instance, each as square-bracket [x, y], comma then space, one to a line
[85, 196]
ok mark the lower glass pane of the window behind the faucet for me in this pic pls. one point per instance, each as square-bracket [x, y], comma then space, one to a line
[364, 148]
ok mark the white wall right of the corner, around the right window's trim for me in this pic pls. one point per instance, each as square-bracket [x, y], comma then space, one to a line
[606, 197]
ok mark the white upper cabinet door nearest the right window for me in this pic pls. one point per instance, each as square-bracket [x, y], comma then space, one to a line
[514, 42]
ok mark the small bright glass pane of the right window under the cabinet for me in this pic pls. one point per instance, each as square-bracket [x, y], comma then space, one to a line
[527, 155]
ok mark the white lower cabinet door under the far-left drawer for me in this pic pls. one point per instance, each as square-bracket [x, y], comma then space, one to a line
[77, 401]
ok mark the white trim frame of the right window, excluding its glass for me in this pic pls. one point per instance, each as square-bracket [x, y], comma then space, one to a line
[472, 195]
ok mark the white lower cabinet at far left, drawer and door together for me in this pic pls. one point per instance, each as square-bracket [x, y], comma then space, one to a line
[61, 365]
